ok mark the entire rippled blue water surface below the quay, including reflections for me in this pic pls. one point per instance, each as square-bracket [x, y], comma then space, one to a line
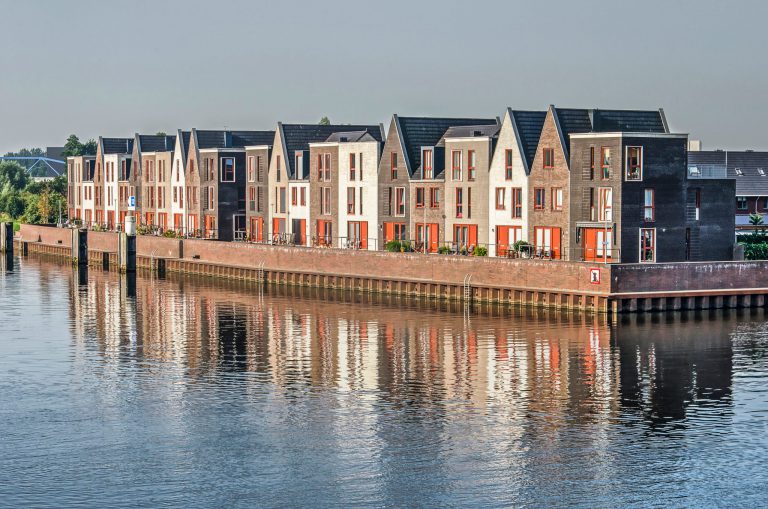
[190, 392]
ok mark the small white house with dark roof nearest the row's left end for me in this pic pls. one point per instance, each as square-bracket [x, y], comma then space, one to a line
[112, 155]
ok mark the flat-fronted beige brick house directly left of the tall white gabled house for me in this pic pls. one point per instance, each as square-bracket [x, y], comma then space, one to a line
[468, 152]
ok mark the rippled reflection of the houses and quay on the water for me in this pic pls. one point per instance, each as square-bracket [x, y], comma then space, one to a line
[415, 353]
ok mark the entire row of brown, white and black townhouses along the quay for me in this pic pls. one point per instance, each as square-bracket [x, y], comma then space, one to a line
[578, 184]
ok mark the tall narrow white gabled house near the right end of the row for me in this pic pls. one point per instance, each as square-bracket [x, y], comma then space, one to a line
[508, 191]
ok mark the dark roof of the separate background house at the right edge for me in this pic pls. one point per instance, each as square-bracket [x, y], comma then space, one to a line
[750, 182]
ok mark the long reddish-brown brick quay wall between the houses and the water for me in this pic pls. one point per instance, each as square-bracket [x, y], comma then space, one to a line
[549, 283]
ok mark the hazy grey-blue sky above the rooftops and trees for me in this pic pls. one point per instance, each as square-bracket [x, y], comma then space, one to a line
[118, 67]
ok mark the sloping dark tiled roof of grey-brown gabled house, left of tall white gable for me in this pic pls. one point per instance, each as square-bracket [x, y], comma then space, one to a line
[417, 132]
